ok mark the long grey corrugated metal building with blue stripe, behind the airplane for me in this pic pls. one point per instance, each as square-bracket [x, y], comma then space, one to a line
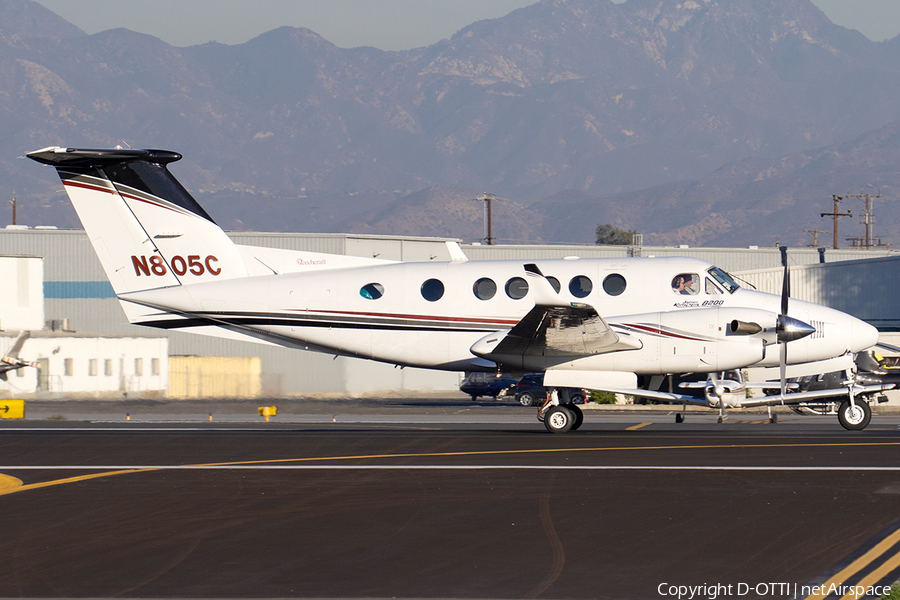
[76, 288]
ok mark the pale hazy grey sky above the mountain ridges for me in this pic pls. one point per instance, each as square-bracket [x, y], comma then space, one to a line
[385, 24]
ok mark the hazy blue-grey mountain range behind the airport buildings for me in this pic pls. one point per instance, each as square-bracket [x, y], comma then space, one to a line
[727, 122]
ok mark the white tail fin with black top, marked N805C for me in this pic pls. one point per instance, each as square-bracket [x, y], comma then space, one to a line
[146, 229]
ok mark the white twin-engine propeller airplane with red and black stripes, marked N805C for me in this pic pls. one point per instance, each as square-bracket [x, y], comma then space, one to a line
[589, 323]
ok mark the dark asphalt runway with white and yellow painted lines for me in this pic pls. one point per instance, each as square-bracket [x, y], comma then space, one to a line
[462, 502]
